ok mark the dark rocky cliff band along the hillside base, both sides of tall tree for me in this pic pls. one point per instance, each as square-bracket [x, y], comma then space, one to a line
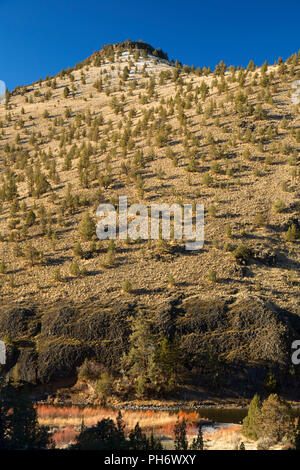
[238, 339]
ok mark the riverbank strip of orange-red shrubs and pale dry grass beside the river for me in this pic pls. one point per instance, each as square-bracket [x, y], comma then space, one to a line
[220, 433]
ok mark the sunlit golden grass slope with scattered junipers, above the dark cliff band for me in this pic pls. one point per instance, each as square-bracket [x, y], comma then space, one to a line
[128, 123]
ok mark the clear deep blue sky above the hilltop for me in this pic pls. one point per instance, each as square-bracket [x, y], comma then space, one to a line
[40, 37]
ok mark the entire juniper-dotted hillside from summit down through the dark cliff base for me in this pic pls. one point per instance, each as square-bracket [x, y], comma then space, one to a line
[127, 121]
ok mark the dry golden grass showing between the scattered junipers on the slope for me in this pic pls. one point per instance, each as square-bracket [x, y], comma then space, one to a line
[247, 195]
